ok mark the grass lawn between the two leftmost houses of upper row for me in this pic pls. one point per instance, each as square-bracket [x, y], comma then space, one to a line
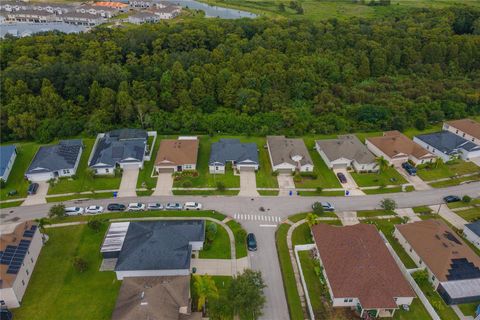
[16, 180]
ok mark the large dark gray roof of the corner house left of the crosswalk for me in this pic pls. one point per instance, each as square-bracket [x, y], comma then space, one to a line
[159, 245]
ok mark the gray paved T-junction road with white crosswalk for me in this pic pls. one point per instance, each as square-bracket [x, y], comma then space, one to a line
[265, 259]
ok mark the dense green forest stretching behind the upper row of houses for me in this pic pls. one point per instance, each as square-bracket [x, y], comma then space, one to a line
[245, 76]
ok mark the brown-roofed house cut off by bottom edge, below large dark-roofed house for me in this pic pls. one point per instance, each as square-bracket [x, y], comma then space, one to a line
[161, 298]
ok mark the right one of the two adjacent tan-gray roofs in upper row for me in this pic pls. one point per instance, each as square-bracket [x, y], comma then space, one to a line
[348, 147]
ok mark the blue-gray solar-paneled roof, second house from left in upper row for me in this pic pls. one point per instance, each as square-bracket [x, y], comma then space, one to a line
[56, 157]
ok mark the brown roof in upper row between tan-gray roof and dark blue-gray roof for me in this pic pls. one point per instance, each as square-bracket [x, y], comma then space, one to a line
[394, 142]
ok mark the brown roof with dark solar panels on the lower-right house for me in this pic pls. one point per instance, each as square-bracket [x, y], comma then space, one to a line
[437, 245]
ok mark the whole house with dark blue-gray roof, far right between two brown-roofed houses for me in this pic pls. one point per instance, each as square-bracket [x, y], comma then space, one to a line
[448, 146]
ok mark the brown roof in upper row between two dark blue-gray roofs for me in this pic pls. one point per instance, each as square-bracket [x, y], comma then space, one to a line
[177, 152]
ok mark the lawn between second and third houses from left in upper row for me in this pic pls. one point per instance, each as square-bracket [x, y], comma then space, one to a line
[83, 182]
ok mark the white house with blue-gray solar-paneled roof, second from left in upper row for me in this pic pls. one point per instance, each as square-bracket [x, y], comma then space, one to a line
[55, 161]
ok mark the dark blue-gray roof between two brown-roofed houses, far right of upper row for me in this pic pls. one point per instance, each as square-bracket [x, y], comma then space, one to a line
[447, 142]
